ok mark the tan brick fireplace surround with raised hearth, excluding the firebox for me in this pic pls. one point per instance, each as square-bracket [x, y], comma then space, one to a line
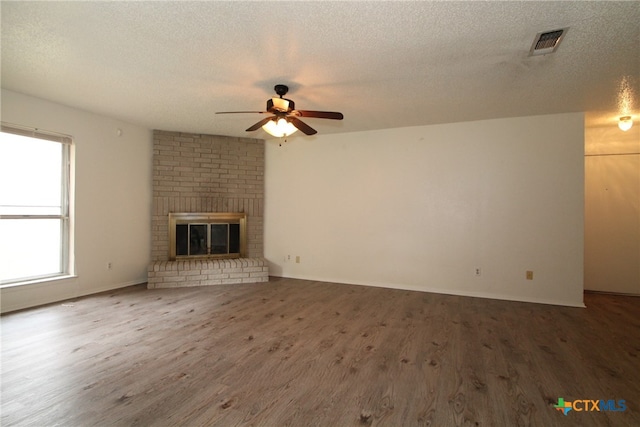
[196, 173]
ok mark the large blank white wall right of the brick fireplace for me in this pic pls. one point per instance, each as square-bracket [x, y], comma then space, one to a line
[420, 208]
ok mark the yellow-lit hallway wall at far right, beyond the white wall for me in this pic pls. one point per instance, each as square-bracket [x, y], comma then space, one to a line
[612, 210]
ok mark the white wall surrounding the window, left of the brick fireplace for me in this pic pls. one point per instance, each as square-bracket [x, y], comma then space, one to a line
[112, 200]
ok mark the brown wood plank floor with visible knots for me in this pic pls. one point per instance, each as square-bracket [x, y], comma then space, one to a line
[303, 353]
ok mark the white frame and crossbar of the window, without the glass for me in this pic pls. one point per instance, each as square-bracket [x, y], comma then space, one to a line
[66, 215]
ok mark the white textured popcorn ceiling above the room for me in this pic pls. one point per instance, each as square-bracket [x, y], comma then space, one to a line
[171, 65]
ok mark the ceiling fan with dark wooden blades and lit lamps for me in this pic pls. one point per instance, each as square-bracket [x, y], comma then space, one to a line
[285, 119]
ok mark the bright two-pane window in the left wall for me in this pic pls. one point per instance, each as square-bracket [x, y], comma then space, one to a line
[35, 224]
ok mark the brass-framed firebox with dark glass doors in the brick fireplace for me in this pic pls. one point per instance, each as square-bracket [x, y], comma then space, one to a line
[207, 235]
